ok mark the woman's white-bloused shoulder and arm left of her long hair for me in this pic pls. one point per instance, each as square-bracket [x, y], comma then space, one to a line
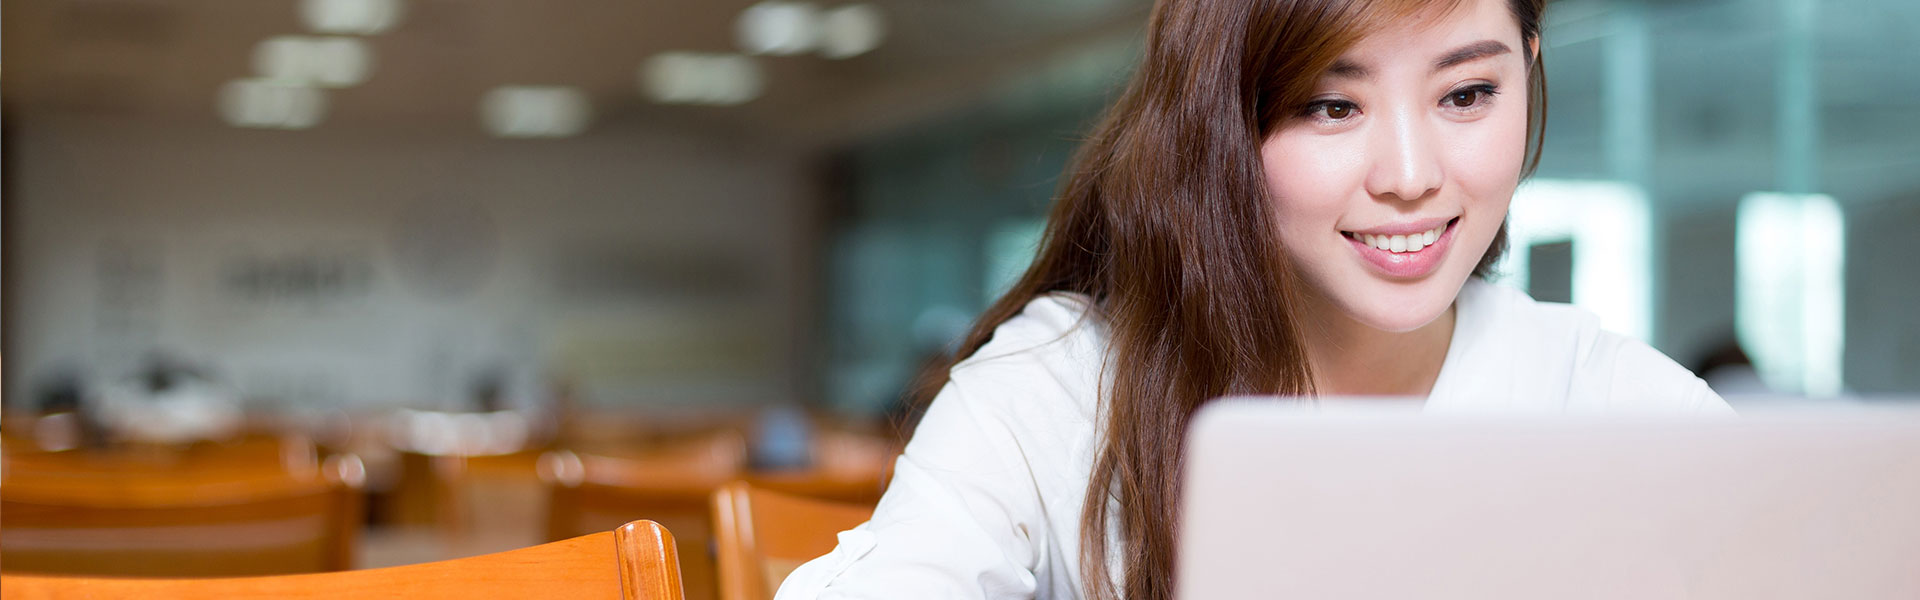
[986, 499]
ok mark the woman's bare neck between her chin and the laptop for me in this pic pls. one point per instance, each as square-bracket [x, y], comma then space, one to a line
[1353, 359]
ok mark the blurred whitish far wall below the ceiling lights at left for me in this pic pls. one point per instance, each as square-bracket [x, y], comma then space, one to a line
[648, 266]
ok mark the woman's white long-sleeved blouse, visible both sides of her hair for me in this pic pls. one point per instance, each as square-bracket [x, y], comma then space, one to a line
[988, 499]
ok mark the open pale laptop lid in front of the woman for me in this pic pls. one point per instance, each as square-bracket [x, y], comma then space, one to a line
[1287, 503]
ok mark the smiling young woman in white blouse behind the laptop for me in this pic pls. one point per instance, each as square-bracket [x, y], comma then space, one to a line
[1293, 197]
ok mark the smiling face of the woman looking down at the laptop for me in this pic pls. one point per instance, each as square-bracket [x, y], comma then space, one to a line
[1391, 186]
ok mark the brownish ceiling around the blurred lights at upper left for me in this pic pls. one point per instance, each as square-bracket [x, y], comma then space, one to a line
[172, 57]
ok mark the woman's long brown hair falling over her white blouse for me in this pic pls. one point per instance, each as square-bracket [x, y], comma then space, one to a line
[1166, 224]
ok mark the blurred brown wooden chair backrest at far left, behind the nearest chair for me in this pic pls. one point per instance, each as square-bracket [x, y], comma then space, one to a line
[191, 520]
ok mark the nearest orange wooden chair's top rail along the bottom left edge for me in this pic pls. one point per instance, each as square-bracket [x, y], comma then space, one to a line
[635, 562]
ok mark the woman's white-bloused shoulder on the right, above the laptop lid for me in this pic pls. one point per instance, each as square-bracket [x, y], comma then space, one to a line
[1562, 347]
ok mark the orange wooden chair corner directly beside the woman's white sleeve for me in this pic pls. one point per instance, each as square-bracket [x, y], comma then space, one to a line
[763, 536]
